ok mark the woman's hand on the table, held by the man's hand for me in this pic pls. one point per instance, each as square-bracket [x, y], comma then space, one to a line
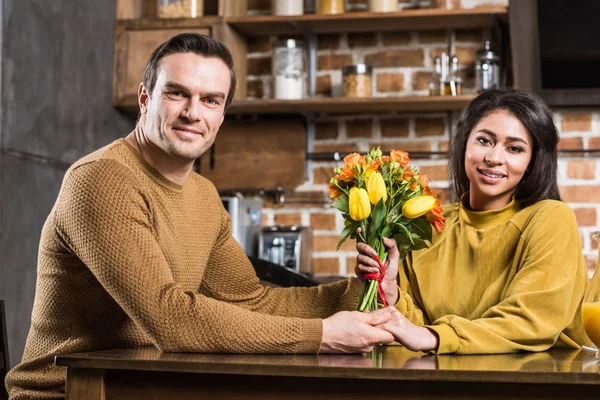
[413, 337]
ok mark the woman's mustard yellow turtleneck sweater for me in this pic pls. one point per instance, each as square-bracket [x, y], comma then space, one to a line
[499, 281]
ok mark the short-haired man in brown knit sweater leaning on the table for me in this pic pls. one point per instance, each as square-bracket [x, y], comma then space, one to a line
[138, 251]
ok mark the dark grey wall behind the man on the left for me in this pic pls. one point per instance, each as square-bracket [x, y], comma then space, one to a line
[56, 71]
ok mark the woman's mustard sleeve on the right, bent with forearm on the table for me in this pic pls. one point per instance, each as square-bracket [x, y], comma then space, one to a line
[539, 303]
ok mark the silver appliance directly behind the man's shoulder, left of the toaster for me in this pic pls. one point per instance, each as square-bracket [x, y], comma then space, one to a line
[246, 217]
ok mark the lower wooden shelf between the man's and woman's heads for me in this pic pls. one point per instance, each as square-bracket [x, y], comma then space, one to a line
[341, 105]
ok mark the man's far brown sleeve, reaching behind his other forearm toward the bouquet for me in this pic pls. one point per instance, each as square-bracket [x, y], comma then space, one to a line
[230, 277]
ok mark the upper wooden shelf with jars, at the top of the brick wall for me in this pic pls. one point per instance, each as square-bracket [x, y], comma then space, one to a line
[429, 18]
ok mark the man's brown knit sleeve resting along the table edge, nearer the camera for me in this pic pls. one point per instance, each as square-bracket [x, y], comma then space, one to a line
[104, 218]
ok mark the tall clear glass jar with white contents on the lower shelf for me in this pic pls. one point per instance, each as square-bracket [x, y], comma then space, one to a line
[288, 61]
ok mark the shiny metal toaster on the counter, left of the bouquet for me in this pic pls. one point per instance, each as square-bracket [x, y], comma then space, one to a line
[290, 246]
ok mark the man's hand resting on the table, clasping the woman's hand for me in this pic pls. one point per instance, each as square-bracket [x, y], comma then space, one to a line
[355, 332]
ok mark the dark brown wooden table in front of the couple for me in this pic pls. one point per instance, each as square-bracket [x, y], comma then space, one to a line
[392, 372]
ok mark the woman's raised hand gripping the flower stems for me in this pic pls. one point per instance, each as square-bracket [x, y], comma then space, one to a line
[365, 264]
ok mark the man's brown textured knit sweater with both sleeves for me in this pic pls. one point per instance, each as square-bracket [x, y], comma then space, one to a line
[128, 258]
